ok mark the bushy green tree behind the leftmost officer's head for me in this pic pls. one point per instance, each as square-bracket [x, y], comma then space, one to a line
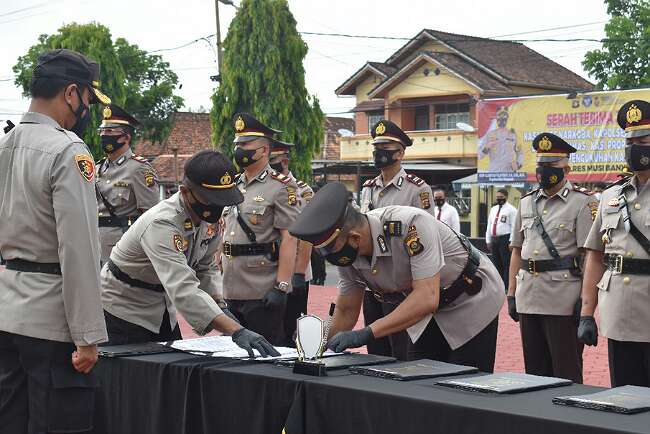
[139, 82]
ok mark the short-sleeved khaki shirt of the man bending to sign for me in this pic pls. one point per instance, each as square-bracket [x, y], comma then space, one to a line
[393, 268]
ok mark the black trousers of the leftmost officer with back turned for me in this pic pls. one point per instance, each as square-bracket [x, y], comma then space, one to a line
[40, 391]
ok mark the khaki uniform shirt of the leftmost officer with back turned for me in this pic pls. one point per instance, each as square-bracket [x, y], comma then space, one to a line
[48, 214]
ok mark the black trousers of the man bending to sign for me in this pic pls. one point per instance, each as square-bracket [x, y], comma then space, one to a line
[479, 352]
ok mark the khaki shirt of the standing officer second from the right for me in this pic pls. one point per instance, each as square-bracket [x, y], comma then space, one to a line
[567, 218]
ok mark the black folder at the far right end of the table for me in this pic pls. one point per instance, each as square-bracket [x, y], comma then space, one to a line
[624, 399]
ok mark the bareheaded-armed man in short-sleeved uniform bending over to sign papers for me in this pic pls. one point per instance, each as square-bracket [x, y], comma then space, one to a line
[448, 294]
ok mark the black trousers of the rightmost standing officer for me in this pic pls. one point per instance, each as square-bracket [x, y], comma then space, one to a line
[629, 363]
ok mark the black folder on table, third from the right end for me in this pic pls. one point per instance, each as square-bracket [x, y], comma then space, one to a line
[414, 370]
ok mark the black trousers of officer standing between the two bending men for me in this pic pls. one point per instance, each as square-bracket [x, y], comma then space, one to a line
[252, 314]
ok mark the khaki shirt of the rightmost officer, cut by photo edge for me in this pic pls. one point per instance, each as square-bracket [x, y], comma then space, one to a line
[623, 299]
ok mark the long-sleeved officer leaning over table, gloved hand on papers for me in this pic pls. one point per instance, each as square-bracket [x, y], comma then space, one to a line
[167, 260]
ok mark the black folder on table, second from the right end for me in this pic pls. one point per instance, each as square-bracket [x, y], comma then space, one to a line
[505, 382]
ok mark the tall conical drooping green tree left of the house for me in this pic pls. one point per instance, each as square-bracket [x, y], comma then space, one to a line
[263, 74]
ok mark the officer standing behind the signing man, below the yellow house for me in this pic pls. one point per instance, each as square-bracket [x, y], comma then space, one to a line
[393, 186]
